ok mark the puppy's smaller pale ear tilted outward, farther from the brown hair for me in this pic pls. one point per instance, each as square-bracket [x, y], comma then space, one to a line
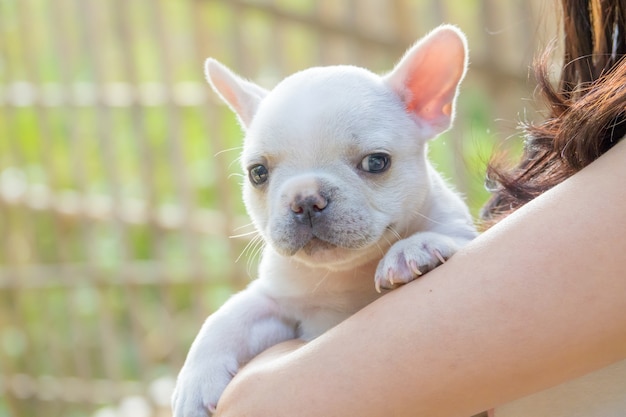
[242, 96]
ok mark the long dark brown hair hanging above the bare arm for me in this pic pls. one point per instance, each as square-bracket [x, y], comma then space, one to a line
[586, 110]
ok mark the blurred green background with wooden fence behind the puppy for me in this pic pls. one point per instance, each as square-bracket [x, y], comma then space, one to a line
[121, 225]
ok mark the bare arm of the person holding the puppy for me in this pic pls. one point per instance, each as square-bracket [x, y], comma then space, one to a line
[538, 299]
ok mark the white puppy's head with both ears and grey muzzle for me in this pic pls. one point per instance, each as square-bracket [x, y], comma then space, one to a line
[335, 157]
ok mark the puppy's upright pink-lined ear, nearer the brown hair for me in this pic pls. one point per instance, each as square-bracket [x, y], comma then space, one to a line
[428, 76]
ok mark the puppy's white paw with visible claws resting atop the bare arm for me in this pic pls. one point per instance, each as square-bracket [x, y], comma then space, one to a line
[412, 257]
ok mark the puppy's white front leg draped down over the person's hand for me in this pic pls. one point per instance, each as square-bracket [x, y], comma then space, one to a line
[248, 323]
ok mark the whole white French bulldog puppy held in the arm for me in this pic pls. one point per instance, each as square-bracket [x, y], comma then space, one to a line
[340, 189]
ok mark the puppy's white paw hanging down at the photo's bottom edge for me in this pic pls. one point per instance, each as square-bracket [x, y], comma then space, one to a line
[198, 388]
